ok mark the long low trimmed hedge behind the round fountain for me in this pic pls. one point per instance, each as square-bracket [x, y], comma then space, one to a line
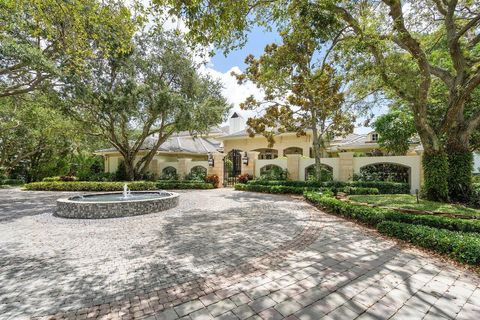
[114, 186]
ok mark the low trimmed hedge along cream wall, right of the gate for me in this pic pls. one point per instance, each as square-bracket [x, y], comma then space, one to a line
[301, 190]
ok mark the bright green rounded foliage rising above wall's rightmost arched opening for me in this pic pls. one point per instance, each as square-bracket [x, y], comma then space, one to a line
[396, 129]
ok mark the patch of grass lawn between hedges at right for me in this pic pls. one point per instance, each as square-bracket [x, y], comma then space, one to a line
[407, 201]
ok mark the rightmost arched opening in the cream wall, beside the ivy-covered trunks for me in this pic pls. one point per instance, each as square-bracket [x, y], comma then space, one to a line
[384, 172]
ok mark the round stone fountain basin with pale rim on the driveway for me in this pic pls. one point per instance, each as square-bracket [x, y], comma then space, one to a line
[114, 204]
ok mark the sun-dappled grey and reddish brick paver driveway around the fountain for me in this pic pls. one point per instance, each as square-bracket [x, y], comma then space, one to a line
[221, 253]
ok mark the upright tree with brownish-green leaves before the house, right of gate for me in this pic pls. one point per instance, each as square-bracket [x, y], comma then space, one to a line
[302, 91]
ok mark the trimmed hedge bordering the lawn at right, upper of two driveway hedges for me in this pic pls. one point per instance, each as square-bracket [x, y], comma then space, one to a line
[373, 216]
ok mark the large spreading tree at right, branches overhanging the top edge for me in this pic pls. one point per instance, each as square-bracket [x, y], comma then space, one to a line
[385, 41]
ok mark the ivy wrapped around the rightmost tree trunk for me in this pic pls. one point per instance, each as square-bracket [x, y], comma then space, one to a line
[460, 167]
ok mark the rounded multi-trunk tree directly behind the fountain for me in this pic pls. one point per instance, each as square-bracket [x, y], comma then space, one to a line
[137, 100]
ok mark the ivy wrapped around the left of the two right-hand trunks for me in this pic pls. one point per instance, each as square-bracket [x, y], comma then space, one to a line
[435, 168]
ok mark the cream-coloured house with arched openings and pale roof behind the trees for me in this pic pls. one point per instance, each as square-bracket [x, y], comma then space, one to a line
[229, 151]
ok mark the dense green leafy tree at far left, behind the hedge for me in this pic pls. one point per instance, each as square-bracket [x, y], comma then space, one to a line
[35, 138]
